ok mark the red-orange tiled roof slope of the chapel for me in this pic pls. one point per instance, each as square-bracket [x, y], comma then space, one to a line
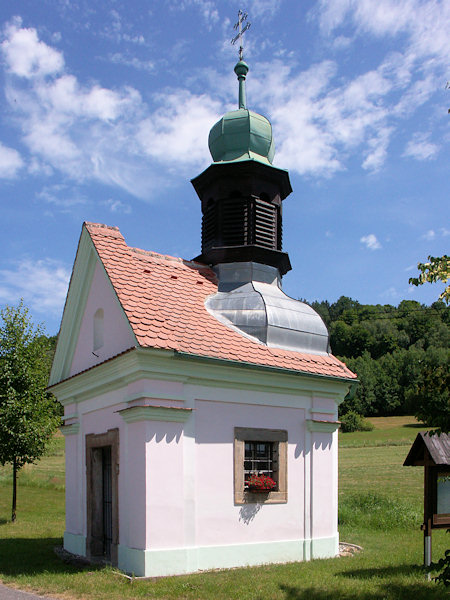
[164, 300]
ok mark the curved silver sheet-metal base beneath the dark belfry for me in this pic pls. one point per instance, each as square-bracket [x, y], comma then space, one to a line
[250, 299]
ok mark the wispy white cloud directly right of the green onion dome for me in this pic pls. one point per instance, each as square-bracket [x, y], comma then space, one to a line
[318, 122]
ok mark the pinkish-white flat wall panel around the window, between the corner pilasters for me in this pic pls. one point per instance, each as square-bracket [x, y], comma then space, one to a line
[218, 518]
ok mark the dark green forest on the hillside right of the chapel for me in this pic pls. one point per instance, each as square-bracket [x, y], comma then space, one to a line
[400, 354]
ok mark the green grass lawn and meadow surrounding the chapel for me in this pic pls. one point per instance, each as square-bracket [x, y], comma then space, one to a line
[380, 509]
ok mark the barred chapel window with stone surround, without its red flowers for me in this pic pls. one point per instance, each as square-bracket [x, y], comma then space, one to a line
[261, 451]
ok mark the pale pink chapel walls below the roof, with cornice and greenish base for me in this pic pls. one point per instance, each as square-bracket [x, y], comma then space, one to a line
[176, 479]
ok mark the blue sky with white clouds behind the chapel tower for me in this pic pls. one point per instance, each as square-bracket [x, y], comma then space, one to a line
[106, 108]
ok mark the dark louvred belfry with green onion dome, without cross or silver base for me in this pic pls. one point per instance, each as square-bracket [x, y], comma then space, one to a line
[241, 192]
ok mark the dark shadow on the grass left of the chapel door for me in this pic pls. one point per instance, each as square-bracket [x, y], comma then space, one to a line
[22, 556]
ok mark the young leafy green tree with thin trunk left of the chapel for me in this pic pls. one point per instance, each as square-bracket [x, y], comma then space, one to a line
[29, 415]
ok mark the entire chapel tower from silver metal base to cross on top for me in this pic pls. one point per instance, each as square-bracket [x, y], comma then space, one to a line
[241, 196]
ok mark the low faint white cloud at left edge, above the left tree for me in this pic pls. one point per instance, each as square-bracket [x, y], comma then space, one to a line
[42, 284]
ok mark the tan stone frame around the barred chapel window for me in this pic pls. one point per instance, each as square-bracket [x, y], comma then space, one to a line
[279, 439]
